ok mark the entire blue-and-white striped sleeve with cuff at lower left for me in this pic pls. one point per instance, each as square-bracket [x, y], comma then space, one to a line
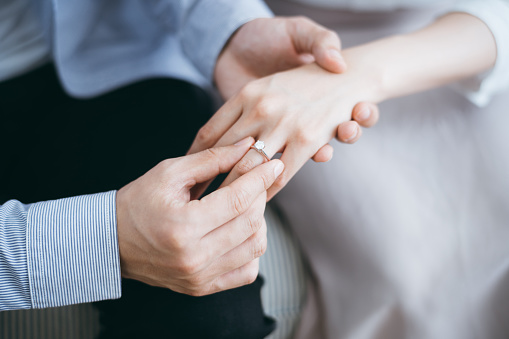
[59, 252]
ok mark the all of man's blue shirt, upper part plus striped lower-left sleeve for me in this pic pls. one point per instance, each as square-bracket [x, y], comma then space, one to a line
[65, 251]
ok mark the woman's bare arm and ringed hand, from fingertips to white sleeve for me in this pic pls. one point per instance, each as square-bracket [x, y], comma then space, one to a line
[297, 112]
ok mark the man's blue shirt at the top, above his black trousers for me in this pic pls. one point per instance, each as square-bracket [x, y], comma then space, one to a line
[118, 42]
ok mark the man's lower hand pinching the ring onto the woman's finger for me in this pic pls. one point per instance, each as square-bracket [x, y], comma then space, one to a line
[195, 247]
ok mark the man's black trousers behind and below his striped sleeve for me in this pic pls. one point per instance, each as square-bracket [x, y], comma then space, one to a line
[55, 146]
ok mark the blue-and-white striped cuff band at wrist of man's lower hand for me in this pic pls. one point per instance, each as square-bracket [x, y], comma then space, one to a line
[72, 250]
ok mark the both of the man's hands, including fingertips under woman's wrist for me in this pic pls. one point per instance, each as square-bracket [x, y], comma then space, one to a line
[167, 238]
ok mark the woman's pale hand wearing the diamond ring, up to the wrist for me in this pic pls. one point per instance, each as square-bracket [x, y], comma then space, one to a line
[295, 113]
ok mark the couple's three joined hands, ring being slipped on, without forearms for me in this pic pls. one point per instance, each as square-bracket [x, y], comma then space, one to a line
[170, 239]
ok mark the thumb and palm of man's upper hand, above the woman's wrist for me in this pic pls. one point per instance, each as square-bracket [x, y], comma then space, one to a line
[263, 47]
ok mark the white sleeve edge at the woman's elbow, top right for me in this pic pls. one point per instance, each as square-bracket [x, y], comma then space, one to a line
[494, 14]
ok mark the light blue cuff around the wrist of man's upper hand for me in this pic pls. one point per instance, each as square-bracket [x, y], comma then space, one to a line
[209, 26]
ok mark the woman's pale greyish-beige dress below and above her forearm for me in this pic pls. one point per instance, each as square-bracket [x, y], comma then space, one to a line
[407, 231]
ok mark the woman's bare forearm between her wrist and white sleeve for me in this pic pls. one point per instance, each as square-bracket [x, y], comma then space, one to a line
[454, 47]
